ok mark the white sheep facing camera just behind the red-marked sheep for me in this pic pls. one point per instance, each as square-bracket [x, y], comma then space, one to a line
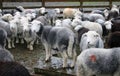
[90, 39]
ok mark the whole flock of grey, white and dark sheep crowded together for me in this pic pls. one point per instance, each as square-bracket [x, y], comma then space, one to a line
[61, 30]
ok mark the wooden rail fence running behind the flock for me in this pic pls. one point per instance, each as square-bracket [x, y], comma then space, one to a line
[50, 3]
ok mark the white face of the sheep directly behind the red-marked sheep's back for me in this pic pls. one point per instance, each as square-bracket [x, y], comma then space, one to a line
[91, 39]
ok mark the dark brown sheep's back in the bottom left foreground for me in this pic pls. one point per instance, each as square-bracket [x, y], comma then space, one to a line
[13, 69]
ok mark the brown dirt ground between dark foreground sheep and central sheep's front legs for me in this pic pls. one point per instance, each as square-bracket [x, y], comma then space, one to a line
[26, 57]
